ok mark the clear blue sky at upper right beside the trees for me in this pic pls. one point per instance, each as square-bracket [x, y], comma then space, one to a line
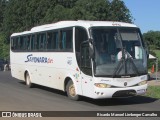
[146, 14]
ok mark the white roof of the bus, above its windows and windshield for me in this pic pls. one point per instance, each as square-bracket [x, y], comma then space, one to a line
[83, 23]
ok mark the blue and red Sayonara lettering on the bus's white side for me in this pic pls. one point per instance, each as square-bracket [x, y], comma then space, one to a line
[31, 58]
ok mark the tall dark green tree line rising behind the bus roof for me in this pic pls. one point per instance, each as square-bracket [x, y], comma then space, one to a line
[22, 15]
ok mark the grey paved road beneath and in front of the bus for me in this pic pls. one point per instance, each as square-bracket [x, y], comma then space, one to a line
[15, 96]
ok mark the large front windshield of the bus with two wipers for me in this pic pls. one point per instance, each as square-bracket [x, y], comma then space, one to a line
[118, 52]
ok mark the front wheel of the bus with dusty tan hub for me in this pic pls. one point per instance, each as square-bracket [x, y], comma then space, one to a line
[71, 92]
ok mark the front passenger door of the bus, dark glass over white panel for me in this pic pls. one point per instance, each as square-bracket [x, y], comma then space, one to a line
[86, 70]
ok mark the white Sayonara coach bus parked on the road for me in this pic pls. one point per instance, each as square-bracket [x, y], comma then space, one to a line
[96, 59]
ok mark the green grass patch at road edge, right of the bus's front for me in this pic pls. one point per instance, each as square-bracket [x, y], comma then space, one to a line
[153, 92]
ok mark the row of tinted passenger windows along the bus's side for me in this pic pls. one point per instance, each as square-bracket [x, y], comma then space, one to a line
[56, 40]
